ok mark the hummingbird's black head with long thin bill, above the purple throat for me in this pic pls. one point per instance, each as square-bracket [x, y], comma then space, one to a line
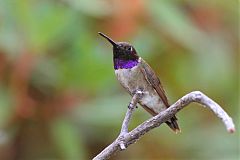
[122, 50]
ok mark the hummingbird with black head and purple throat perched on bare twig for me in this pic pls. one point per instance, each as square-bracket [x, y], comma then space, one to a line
[134, 74]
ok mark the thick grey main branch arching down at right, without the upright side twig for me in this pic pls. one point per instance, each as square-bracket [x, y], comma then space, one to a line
[162, 117]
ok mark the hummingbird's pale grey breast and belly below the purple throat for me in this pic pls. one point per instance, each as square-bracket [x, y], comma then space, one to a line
[132, 80]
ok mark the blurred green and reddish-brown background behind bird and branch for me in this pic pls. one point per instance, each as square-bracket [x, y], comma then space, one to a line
[59, 98]
